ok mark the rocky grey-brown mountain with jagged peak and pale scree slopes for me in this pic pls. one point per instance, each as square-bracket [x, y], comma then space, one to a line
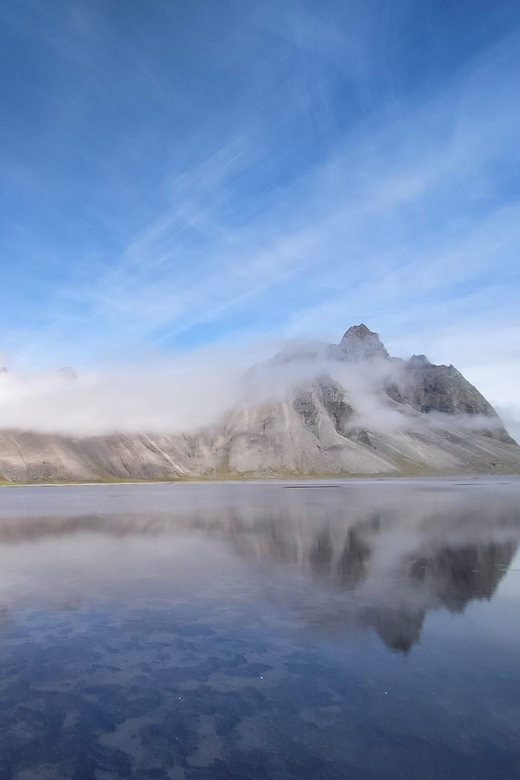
[346, 409]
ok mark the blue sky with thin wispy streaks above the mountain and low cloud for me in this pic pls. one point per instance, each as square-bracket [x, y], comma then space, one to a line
[178, 176]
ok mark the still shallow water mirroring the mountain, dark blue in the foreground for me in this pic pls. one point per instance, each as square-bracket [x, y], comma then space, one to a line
[267, 630]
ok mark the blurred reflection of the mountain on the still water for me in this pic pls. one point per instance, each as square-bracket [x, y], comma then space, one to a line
[393, 555]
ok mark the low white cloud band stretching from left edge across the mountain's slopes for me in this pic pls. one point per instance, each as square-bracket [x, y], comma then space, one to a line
[195, 390]
